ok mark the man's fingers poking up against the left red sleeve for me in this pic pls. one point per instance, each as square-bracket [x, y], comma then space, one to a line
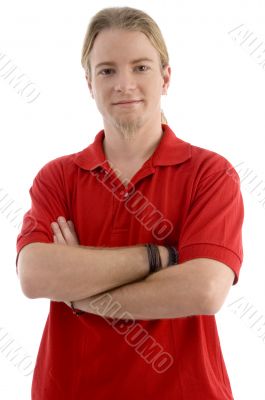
[64, 232]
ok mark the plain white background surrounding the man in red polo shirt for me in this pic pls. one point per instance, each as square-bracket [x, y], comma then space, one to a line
[215, 101]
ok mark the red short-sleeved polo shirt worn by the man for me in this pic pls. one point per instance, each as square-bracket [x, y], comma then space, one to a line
[184, 196]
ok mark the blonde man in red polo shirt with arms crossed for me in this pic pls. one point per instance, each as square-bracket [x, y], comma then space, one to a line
[116, 329]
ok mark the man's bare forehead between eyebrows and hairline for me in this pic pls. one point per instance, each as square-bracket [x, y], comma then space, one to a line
[118, 45]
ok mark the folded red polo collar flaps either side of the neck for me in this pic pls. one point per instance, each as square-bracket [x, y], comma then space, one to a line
[170, 151]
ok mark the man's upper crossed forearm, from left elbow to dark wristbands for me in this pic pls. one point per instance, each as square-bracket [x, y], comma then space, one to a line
[63, 273]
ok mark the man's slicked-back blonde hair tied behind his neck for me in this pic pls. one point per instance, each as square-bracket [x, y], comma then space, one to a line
[129, 19]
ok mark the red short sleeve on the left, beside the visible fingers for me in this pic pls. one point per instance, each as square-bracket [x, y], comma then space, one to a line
[48, 202]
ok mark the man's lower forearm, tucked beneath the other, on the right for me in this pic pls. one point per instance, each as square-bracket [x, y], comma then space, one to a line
[175, 292]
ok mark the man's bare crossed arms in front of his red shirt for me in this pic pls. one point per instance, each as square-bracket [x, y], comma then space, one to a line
[65, 271]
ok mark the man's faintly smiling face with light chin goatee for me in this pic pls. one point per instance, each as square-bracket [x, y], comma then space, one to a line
[126, 80]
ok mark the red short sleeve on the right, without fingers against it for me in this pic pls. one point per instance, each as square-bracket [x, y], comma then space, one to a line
[213, 227]
